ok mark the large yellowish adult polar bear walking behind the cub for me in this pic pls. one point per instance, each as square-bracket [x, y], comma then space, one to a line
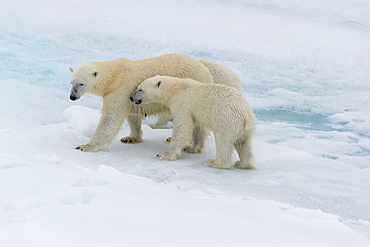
[116, 80]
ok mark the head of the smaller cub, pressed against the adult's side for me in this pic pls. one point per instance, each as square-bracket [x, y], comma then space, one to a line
[149, 91]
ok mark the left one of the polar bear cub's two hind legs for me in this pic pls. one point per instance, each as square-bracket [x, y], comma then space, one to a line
[224, 153]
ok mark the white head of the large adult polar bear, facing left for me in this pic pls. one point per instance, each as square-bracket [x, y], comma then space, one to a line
[83, 80]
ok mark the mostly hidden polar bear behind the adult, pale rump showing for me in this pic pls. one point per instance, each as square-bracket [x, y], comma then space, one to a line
[221, 75]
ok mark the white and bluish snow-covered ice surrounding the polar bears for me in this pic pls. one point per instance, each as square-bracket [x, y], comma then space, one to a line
[304, 69]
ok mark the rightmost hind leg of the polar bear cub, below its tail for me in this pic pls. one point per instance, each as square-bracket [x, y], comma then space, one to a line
[245, 152]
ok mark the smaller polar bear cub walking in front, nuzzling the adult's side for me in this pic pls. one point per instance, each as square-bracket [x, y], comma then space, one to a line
[220, 108]
